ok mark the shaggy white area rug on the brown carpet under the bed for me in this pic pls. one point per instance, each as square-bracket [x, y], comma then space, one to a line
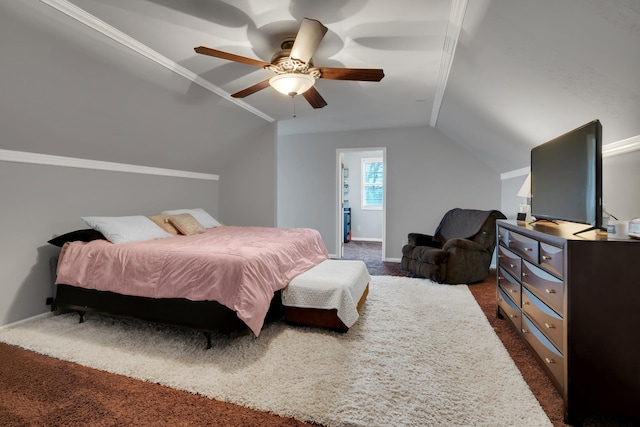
[421, 354]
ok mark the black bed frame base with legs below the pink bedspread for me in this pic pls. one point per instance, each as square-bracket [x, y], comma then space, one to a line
[205, 316]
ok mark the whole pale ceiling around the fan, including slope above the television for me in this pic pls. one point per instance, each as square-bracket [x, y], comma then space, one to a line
[496, 76]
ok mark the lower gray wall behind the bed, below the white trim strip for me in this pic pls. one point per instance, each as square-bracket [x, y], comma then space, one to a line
[40, 202]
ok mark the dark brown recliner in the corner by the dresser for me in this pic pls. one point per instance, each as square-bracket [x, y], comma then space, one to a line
[460, 251]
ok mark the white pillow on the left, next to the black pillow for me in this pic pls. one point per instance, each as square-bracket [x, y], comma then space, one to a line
[124, 229]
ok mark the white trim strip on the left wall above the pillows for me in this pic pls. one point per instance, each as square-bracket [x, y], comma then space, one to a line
[73, 162]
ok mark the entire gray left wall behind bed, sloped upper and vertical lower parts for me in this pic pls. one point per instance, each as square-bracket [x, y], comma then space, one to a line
[69, 91]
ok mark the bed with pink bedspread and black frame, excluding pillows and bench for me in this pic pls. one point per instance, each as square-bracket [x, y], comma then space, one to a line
[225, 279]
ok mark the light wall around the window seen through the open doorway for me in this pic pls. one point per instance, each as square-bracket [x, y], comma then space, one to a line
[365, 224]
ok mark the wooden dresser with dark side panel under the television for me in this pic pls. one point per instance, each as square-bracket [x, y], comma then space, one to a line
[575, 299]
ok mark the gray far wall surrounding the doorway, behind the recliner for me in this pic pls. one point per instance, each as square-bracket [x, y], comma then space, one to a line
[427, 174]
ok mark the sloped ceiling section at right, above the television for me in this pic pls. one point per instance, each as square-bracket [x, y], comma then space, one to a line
[528, 71]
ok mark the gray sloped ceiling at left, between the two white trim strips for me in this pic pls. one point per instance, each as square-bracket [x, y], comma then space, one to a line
[67, 90]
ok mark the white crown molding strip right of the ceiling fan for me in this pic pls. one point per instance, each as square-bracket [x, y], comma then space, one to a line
[454, 26]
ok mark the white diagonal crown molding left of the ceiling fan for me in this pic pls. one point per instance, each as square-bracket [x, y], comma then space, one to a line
[118, 36]
